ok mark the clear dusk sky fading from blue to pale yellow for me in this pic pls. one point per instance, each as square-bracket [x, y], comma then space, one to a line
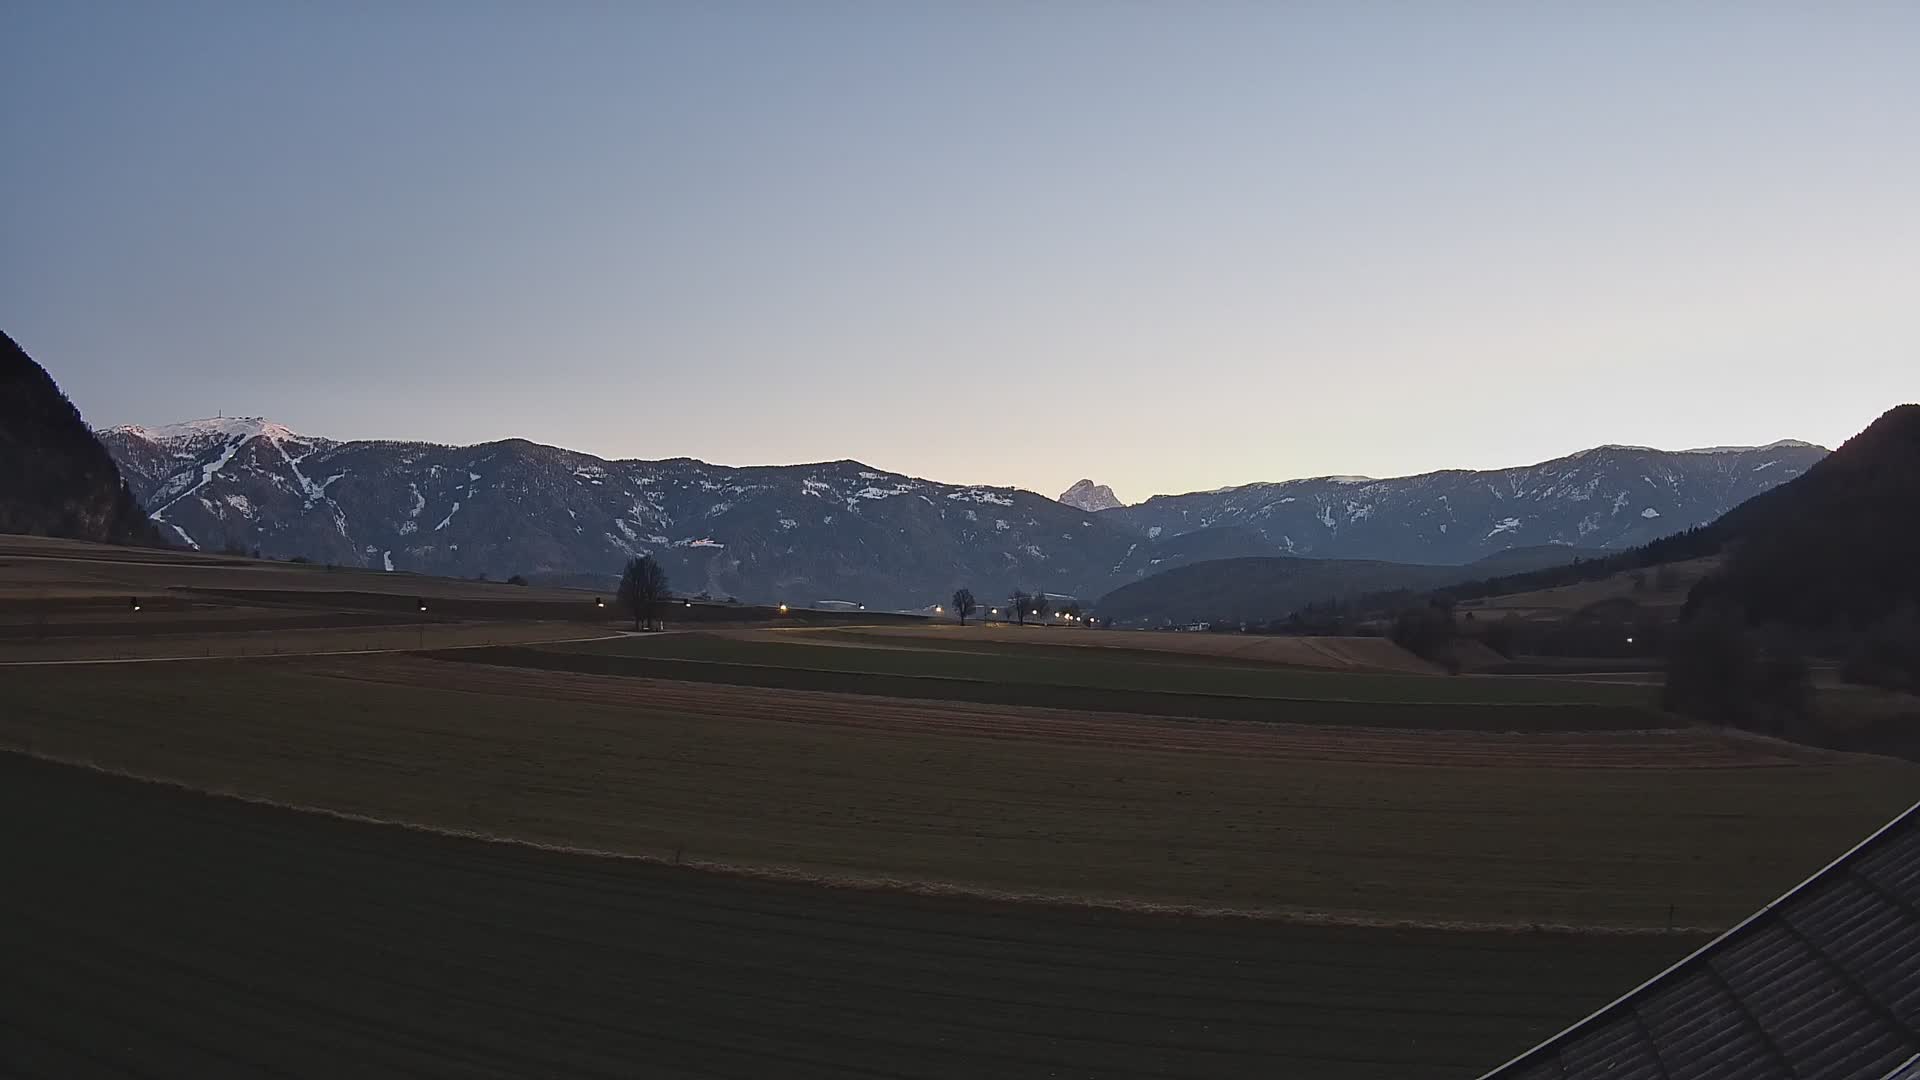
[1168, 247]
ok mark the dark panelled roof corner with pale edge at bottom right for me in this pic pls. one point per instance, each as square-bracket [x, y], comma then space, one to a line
[1825, 983]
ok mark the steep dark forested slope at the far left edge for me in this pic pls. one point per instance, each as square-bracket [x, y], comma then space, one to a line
[55, 476]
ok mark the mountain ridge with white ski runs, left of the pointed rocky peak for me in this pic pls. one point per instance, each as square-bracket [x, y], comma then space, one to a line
[800, 533]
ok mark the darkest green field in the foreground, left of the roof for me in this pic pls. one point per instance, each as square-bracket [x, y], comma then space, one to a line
[160, 933]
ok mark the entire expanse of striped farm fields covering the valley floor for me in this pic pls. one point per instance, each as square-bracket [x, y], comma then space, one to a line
[901, 850]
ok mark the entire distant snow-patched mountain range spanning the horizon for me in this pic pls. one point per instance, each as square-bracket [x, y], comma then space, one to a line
[848, 531]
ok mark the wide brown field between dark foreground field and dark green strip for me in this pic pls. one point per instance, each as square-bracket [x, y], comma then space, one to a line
[1443, 827]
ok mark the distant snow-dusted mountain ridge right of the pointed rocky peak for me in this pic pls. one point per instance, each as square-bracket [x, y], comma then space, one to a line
[1610, 497]
